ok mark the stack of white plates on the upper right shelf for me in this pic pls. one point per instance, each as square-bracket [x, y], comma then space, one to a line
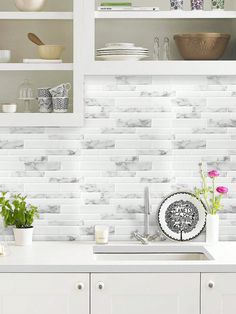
[121, 52]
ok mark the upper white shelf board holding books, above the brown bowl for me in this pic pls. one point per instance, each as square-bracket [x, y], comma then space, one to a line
[165, 15]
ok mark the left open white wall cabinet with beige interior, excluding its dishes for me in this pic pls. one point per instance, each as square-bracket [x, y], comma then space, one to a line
[60, 23]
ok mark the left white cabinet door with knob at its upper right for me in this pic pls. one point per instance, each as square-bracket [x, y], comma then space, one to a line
[44, 294]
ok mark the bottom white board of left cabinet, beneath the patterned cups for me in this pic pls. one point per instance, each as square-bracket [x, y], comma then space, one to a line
[41, 119]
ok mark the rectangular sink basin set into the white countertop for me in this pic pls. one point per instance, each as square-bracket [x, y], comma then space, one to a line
[151, 253]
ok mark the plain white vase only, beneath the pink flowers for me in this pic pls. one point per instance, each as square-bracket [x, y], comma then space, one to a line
[212, 229]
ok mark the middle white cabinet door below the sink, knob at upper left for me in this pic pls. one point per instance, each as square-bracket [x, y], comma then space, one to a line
[145, 293]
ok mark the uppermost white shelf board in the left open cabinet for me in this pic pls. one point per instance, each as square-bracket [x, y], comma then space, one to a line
[36, 16]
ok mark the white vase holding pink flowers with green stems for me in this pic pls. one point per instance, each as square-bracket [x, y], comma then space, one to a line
[211, 196]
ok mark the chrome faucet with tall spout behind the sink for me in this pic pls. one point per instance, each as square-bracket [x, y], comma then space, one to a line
[146, 237]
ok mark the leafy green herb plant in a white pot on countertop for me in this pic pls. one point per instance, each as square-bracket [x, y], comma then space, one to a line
[17, 213]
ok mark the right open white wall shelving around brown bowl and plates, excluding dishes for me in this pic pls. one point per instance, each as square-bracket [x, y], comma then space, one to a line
[140, 27]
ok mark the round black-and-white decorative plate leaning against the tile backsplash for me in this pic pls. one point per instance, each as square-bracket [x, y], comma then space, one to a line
[182, 216]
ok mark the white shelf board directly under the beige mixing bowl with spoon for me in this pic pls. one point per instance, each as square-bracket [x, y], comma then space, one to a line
[36, 67]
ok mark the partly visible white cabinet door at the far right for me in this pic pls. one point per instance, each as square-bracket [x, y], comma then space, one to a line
[218, 293]
